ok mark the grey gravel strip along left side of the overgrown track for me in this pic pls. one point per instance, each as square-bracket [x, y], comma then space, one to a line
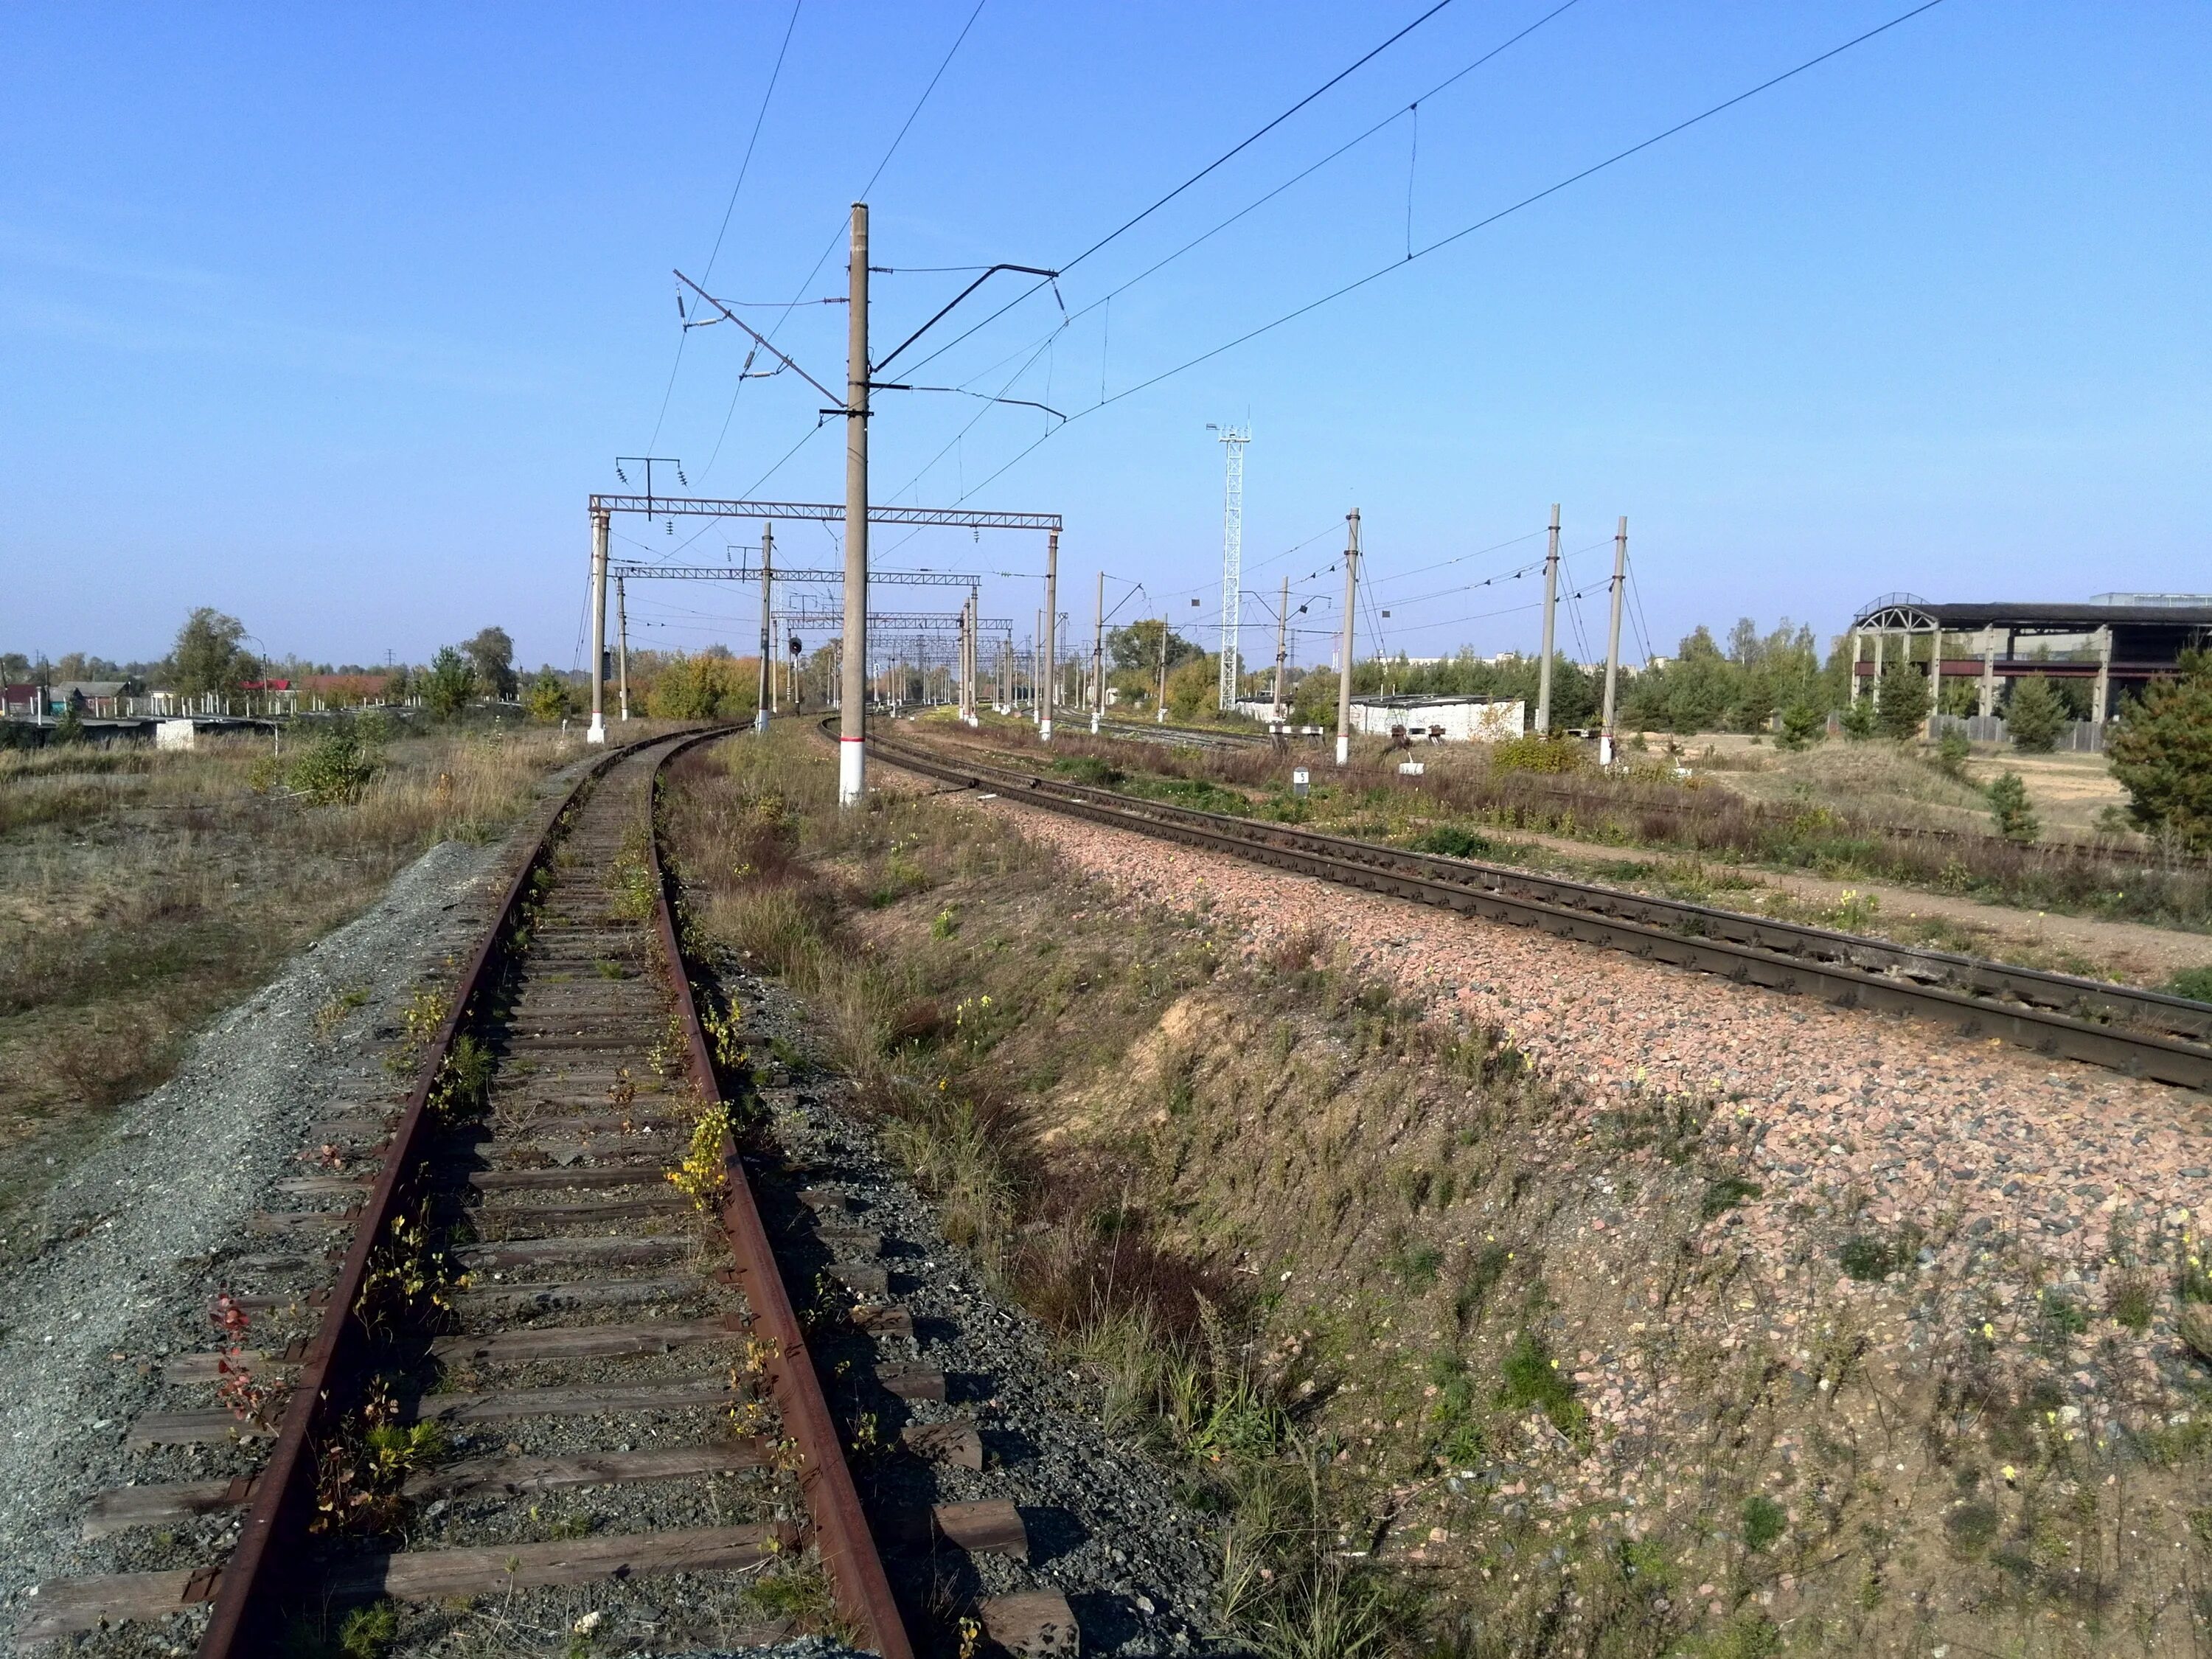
[152, 1227]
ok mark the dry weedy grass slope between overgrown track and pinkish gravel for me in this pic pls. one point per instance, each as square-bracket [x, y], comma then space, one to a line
[1335, 1255]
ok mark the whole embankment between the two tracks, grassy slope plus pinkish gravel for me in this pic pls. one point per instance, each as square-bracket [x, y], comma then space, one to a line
[1505, 1291]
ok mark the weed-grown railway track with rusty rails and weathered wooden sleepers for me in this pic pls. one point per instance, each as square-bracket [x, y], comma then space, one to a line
[556, 1359]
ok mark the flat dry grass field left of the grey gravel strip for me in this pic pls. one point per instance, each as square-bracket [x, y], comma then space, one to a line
[143, 893]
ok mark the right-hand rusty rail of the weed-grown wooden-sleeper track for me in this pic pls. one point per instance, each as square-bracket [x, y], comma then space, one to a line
[851, 1558]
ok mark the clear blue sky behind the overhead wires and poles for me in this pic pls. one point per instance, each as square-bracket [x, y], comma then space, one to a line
[333, 315]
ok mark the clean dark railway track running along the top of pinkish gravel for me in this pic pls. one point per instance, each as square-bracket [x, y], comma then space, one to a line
[2145, 1034]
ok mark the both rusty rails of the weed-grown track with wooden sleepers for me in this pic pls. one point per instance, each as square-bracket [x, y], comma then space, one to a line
[264, 1563]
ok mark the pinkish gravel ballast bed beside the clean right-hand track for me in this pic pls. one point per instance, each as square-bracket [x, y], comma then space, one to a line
[1976, 1142]
